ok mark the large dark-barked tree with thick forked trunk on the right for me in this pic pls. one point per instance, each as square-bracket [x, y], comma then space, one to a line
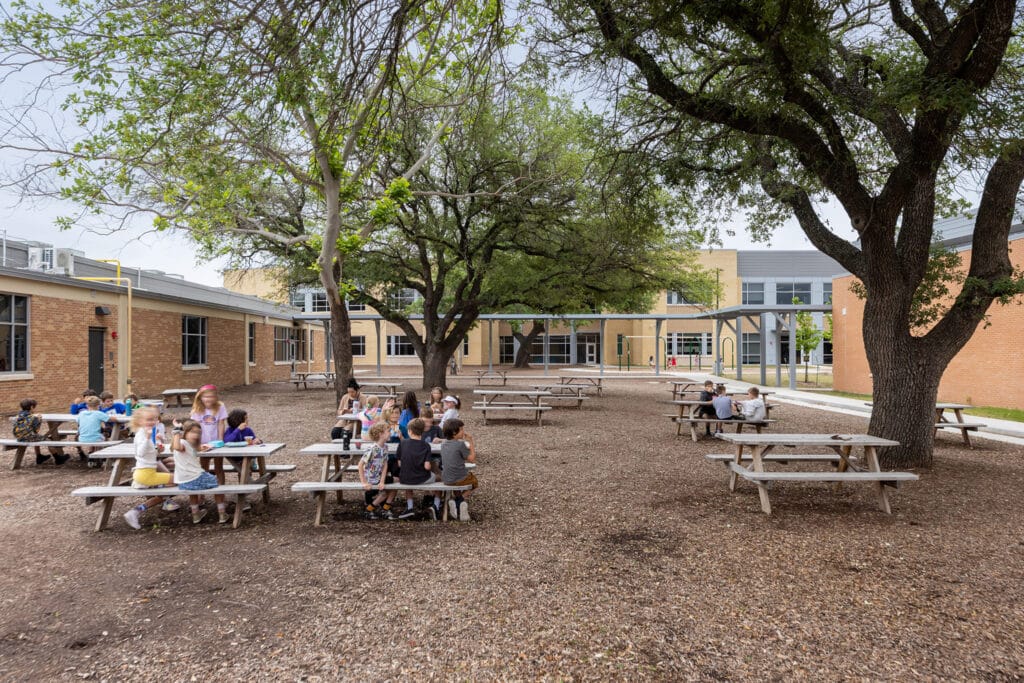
[880, 107]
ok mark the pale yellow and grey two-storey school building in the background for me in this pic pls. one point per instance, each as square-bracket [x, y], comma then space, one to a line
[746, 278]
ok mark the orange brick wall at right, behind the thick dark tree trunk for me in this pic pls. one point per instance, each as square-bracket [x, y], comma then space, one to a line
[987, 371]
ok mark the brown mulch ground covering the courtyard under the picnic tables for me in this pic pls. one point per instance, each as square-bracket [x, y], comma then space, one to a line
[603, 547]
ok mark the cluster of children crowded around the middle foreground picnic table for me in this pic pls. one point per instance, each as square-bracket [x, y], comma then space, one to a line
[412, 428]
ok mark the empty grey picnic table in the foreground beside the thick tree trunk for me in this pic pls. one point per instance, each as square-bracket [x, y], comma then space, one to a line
[760, 446]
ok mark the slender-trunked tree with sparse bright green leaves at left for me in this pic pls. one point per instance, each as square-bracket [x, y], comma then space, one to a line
[260, 122]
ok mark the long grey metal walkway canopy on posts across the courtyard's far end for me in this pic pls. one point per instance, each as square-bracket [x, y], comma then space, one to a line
[733, 318]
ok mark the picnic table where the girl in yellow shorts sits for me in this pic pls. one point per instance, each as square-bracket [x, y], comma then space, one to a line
[124, 454]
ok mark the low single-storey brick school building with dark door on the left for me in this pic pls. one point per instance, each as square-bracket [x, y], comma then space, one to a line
[67, 325]
